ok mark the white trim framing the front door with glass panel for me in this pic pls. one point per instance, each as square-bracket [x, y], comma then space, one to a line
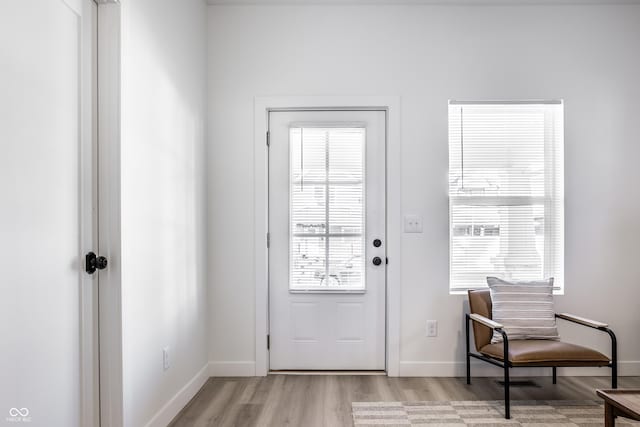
[262, 107]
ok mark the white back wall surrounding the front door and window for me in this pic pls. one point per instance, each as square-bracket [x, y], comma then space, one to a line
[586, 55]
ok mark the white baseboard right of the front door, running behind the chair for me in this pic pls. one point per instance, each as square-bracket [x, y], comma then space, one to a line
[482, 369]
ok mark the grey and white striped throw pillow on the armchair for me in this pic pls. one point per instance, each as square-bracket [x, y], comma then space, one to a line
[525, 309]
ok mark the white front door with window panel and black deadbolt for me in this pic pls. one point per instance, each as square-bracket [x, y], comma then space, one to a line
[327, 240]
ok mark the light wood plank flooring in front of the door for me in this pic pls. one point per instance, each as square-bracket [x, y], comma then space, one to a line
[325, 400]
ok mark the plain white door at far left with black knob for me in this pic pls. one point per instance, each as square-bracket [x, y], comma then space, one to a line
[45, 196]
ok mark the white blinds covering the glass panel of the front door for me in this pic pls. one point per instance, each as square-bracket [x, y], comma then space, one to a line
[327, 208]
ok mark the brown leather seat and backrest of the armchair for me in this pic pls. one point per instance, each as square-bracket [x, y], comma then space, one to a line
[528, 352]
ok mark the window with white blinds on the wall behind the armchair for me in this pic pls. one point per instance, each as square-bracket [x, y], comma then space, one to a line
[506, 192]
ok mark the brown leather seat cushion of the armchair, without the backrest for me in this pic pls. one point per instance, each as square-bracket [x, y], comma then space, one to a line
[546, 353]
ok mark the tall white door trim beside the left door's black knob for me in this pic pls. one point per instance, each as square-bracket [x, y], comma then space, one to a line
[109, 211]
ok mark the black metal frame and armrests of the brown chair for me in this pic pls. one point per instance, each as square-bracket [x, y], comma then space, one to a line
[506, 364]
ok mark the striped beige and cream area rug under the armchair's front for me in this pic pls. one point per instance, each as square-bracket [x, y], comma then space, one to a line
[483, 413]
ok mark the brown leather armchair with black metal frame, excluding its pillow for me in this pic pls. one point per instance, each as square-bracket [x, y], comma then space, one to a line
[529, 353]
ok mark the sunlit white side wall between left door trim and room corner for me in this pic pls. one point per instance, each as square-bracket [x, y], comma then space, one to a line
[163, 208]
